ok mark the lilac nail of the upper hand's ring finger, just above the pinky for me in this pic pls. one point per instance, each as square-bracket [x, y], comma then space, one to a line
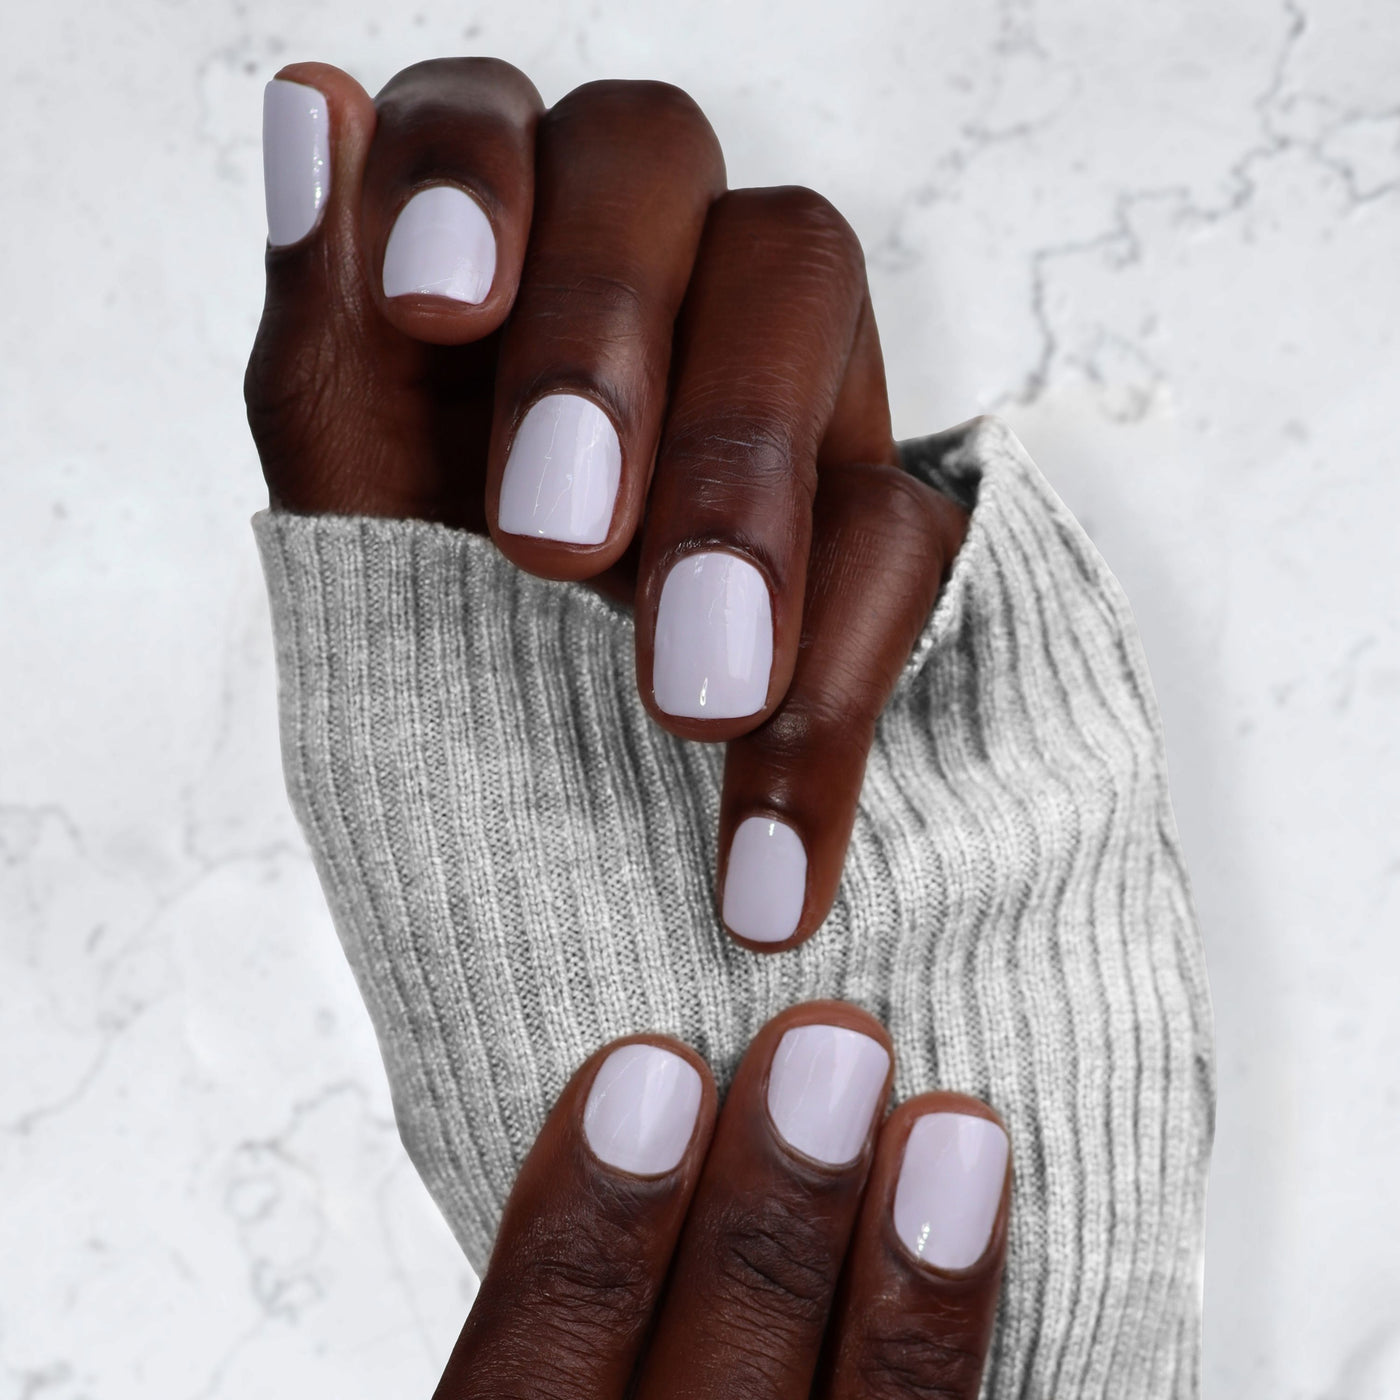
[715, 639]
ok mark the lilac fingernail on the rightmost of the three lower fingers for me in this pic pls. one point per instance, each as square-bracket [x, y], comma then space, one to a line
[950, 1188]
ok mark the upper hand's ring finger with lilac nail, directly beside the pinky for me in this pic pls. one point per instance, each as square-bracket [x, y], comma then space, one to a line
[764, 346]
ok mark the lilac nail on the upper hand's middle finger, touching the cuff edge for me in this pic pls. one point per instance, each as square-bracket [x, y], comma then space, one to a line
[561, 479]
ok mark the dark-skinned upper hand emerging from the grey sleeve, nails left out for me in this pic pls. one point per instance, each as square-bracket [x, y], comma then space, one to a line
[726, 335]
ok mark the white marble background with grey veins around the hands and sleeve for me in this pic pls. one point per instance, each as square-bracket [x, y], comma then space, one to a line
[1161, 239]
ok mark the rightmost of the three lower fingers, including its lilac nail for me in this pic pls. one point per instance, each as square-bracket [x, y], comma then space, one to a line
[919, 1296]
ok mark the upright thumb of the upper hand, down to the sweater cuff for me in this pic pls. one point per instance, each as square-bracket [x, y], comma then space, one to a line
[349, 414]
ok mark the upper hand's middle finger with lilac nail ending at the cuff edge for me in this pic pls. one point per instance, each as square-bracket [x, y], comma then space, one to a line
[625, 174]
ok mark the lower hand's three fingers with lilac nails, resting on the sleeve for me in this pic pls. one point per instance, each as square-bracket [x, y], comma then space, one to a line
[786, 1247]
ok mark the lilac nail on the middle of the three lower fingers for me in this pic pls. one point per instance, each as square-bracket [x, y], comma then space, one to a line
[824, 1090]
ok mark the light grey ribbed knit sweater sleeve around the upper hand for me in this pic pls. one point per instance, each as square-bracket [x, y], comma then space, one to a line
[521, 867]
